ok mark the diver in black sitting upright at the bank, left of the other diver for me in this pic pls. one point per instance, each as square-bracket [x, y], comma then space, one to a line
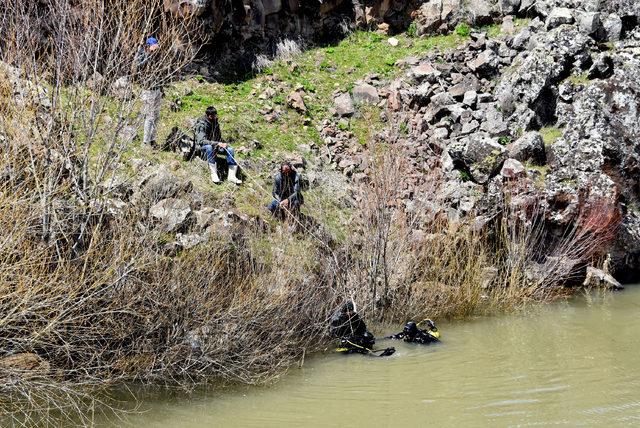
[347, 325]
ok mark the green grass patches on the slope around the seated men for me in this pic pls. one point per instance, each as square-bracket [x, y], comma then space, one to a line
[320, 72]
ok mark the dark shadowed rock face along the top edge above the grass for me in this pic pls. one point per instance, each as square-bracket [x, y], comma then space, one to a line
[236, 31]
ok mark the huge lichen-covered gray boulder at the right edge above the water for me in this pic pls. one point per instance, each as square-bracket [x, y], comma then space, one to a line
[598, 152]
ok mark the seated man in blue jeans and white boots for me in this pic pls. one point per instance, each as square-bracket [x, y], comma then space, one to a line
[209, 138]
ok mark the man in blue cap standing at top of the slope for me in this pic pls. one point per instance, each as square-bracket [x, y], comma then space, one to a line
[152, 94]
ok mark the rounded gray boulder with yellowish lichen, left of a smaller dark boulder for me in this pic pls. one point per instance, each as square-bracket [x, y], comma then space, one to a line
[484, 157]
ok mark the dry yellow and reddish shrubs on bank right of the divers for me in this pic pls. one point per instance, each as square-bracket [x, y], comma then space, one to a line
[415, 262]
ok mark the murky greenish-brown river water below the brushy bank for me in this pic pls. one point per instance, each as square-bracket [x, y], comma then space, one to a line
[572, 363]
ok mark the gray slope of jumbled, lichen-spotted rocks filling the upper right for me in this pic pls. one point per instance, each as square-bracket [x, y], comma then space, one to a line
[547, 115]
